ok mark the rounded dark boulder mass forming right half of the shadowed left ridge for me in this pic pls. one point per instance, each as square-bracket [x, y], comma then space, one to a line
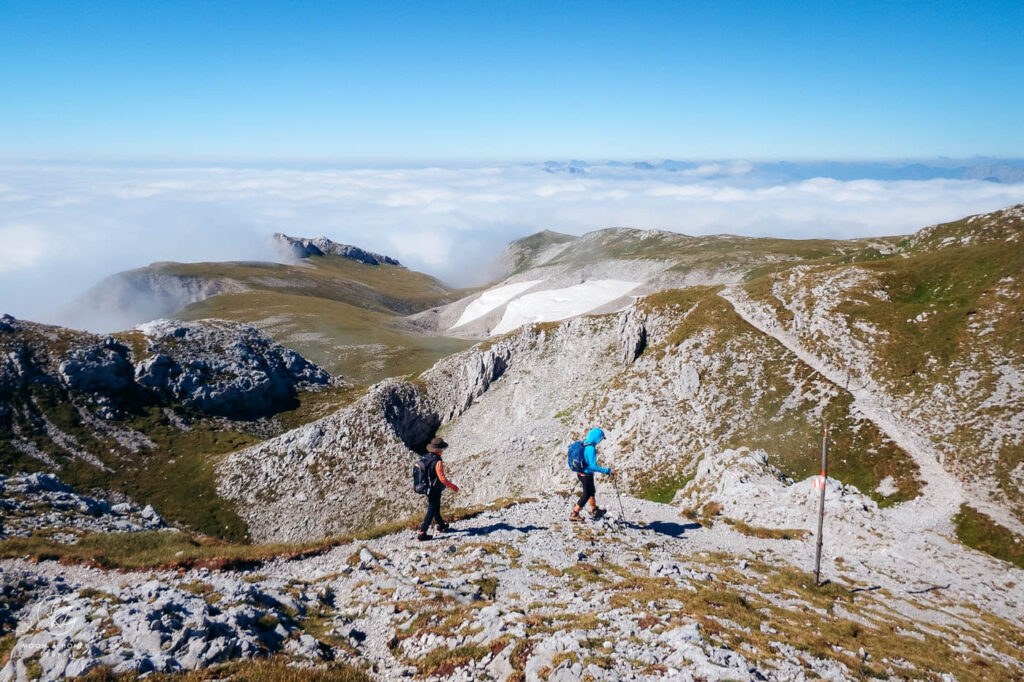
[223, 368]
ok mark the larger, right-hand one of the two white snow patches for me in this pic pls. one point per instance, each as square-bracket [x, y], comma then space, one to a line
[558, 305]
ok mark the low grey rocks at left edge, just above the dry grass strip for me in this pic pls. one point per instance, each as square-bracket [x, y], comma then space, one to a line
[39, 502]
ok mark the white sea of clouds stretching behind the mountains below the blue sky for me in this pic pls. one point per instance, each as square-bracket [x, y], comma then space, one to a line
[64, 228]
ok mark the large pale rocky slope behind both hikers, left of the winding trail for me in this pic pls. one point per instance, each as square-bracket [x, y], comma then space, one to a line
[665, 388]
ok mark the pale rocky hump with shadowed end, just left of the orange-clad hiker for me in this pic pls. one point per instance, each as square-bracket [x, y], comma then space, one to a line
[343, 473]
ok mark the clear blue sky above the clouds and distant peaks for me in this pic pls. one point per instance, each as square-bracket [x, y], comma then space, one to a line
[444, 81]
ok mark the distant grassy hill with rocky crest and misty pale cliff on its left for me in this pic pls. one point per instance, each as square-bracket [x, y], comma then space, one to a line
[335, 304]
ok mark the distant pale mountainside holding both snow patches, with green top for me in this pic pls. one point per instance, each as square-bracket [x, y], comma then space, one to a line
[605, 271]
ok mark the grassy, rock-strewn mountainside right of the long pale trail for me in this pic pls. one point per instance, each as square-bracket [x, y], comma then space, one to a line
[932, 336]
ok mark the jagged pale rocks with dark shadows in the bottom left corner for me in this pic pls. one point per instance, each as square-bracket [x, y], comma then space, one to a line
[154, 627]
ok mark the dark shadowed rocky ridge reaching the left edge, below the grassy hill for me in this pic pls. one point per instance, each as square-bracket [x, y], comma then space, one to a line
[215, 367]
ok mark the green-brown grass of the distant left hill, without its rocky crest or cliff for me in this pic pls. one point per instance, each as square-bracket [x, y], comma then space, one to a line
[338, 313]
